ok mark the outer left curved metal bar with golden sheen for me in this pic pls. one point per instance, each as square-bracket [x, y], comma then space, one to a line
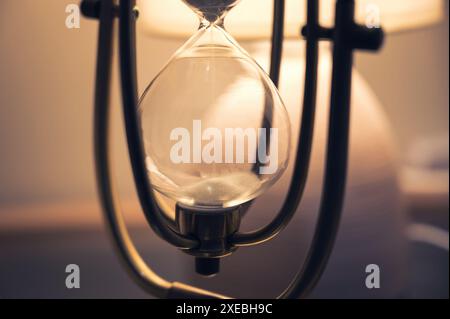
[126, 250]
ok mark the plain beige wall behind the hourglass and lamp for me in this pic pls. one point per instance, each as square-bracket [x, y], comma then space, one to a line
[46, 90]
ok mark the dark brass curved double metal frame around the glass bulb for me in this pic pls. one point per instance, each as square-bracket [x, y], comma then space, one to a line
[346, 37]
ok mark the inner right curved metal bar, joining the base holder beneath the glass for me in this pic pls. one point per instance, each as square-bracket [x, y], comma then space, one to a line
[303, 155]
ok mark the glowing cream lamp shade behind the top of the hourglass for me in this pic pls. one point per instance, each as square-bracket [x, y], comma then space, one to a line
[252, 19]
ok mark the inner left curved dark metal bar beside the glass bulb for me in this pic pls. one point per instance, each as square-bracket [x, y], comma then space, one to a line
[156, 220]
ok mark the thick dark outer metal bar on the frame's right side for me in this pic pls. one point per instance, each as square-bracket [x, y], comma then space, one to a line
[337, 156]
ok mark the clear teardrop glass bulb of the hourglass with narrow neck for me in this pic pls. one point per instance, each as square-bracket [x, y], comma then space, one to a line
[215, 130]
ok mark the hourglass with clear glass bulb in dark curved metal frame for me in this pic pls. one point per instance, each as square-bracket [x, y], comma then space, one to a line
[211, 133]
